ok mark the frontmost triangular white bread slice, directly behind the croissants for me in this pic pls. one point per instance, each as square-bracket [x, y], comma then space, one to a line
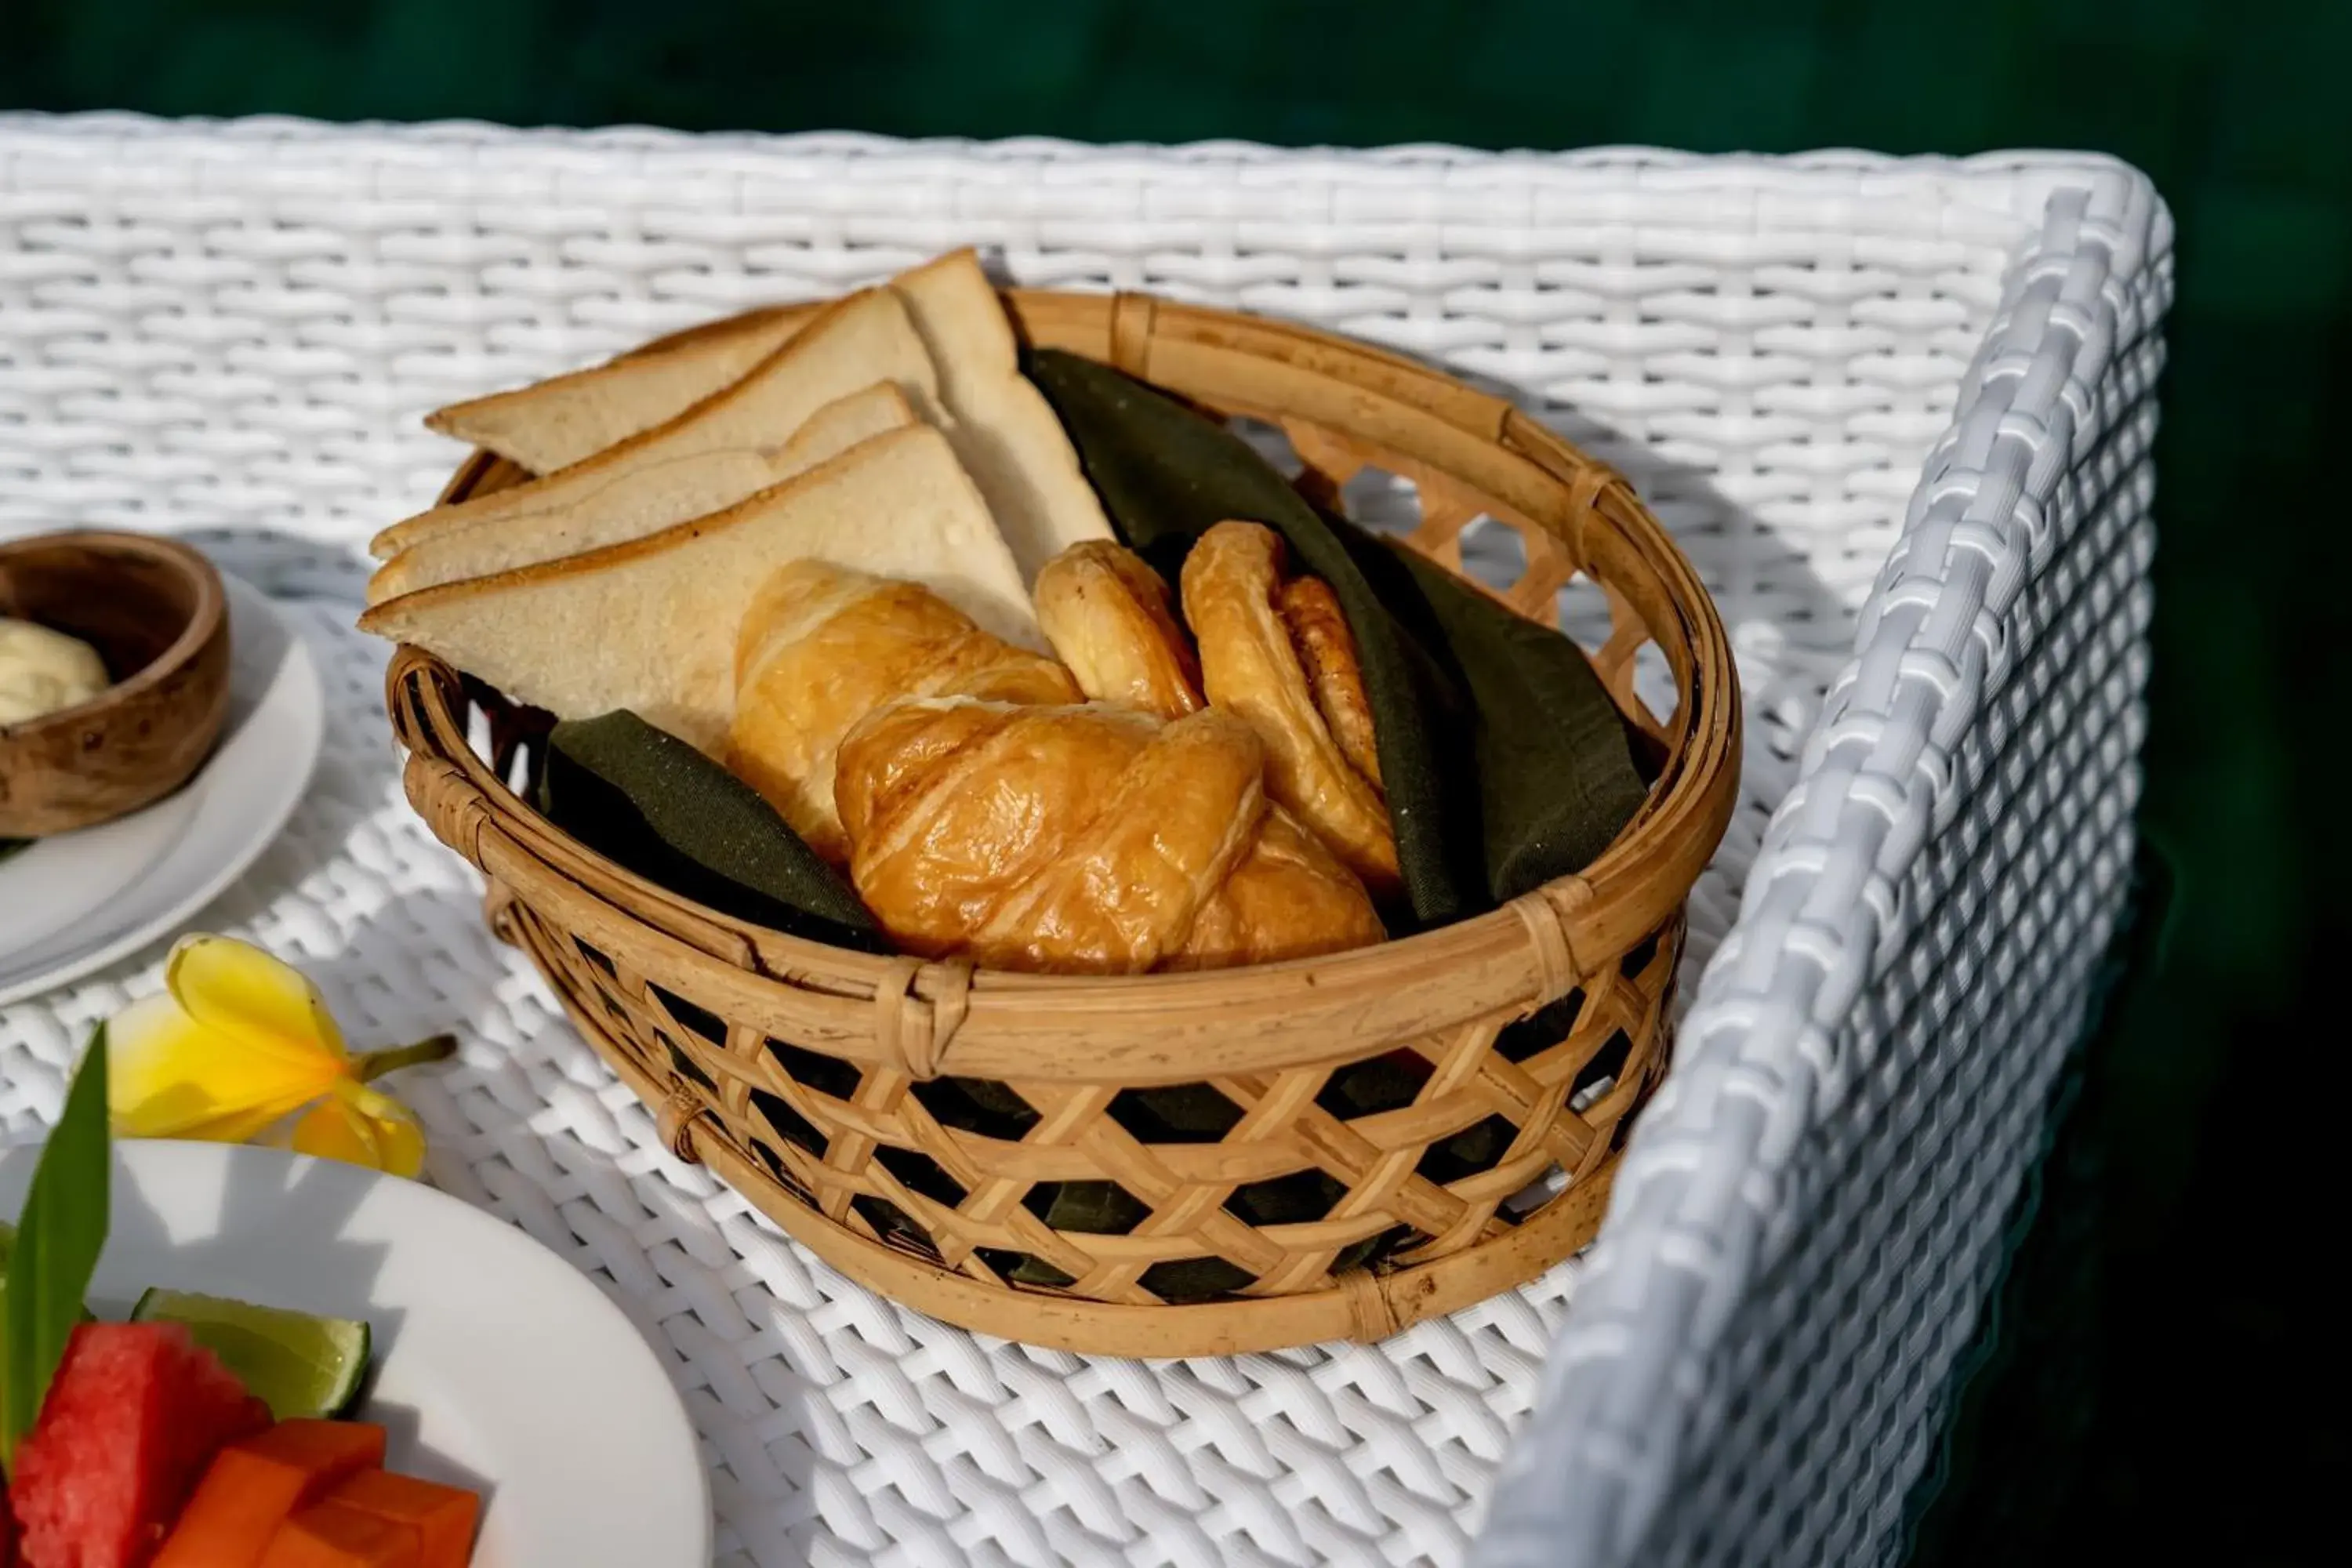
[653, 624]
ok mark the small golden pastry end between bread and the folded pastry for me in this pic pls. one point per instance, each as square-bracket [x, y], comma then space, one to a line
[1109, 619]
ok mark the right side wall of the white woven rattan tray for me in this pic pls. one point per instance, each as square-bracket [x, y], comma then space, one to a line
[1798, 1252]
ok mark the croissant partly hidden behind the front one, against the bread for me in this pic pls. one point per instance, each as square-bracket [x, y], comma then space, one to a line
[820, 648]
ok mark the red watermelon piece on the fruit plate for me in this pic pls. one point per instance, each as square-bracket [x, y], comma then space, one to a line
[131, 1423]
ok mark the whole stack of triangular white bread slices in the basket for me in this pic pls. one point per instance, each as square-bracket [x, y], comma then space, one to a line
[890, 434]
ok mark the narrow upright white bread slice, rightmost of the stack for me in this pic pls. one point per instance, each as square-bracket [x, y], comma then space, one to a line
[1005, 431]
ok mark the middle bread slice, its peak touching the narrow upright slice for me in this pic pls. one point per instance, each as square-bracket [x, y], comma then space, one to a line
[857, 342]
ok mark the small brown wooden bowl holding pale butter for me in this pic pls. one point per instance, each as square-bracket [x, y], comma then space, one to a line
[156, 615]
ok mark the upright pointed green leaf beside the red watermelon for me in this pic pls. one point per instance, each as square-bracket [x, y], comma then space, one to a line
[58, 1249]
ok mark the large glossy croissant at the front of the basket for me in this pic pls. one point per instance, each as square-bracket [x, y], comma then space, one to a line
[1085, 840]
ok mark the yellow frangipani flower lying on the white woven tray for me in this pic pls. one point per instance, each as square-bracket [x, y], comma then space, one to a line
[239, 1047]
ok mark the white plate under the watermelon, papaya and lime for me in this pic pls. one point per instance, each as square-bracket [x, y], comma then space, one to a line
[497, 1365]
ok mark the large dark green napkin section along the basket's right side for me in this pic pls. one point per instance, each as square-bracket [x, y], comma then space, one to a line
[1502, 756]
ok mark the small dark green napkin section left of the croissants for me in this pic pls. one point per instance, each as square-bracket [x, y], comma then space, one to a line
[648, 800]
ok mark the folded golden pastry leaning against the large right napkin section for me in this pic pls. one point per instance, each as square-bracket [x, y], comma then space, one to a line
[1281, 657]
